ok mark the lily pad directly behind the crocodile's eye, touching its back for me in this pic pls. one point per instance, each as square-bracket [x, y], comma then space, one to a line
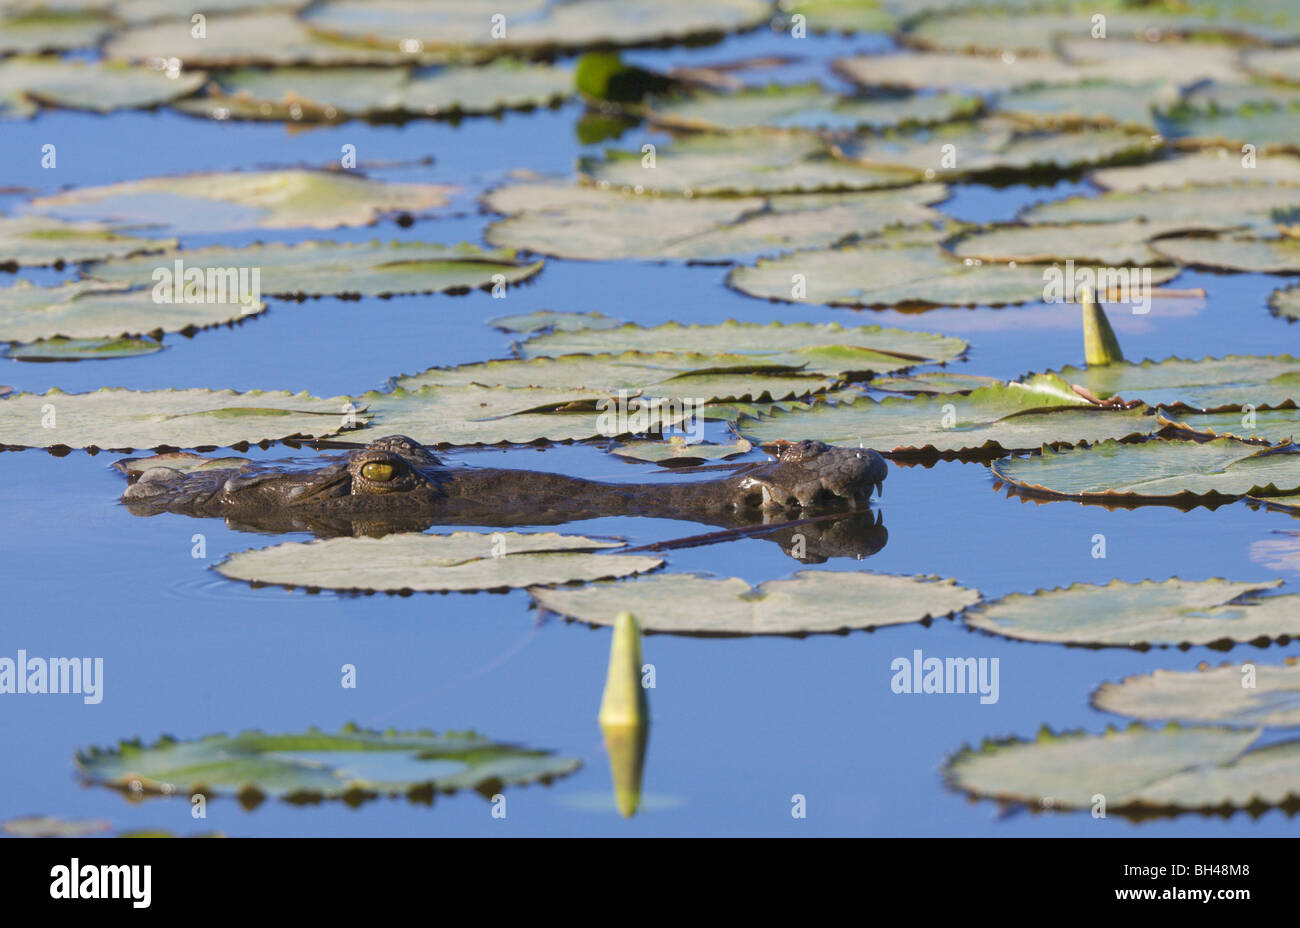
[479, 415]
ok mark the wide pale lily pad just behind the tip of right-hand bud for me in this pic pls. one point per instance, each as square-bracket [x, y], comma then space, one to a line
[869, 276]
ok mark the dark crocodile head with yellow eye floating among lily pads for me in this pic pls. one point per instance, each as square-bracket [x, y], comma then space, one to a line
[397, 485]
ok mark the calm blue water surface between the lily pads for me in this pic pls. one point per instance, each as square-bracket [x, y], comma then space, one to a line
[740, 726]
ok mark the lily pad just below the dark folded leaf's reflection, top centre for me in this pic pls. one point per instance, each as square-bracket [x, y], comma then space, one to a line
[756, 162]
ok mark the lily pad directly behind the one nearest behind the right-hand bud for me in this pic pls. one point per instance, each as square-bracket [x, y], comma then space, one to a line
[1111, 244]
